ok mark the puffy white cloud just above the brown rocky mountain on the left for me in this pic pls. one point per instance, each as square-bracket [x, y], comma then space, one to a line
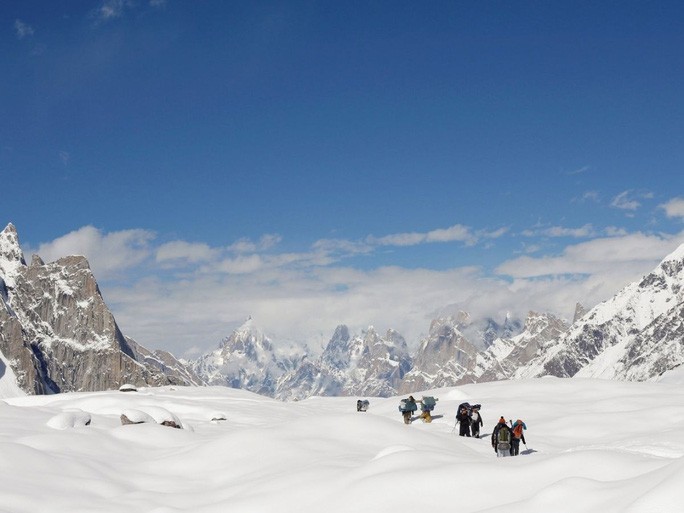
[108, 254]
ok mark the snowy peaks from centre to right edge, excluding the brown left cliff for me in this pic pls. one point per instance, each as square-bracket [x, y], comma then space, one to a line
[637, 335]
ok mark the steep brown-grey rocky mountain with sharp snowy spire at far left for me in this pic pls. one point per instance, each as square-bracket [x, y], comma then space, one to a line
[57, 334]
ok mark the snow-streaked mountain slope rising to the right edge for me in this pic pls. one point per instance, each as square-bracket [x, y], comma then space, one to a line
[636, 335]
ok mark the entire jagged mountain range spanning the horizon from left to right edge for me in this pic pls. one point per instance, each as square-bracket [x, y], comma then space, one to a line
[57, 335]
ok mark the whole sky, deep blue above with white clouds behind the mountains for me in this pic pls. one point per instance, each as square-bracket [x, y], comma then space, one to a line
[317, 163]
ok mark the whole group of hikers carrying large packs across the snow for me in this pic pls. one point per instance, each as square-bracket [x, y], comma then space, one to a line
[505, 438]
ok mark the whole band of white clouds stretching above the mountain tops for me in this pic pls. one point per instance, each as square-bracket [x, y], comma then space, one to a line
[303, 296]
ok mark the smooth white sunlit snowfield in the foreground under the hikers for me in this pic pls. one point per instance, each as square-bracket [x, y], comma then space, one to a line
[592, 446]
